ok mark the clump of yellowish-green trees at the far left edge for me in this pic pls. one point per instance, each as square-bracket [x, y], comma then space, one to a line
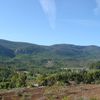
[11, 79]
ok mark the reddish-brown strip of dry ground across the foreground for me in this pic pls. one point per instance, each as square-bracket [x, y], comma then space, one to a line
[72, 92]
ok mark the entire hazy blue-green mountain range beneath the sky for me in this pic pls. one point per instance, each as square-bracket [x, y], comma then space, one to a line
[68, 55]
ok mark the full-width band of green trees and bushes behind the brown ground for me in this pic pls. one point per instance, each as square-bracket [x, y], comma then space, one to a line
[11, 78]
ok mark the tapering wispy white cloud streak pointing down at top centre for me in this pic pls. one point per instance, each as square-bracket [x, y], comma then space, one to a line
[49, 8]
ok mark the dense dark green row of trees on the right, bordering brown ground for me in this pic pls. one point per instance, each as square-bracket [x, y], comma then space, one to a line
[68, 76]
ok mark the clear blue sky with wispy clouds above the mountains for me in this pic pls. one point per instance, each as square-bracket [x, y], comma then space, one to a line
[48, 22]
